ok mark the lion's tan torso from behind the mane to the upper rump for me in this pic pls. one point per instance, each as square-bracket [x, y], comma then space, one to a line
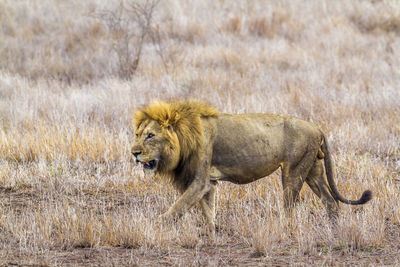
[253, 145]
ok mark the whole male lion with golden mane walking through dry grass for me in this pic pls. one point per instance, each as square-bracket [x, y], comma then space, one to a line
[195, 146]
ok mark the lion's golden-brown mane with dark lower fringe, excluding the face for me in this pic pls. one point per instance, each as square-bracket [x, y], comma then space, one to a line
[183, 117]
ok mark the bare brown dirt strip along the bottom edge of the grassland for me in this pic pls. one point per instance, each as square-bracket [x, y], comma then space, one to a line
[205, 256]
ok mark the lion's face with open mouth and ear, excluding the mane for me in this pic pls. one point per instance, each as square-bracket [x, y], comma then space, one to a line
[156, 147]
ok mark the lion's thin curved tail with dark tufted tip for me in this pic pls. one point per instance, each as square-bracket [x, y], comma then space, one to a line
[365, 197]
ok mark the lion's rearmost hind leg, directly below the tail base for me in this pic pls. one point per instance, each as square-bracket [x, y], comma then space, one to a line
[318, 183]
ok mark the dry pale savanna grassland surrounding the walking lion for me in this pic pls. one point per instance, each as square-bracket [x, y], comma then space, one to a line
[69, 191]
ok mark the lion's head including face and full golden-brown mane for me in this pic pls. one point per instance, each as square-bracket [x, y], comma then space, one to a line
[169, 137]
